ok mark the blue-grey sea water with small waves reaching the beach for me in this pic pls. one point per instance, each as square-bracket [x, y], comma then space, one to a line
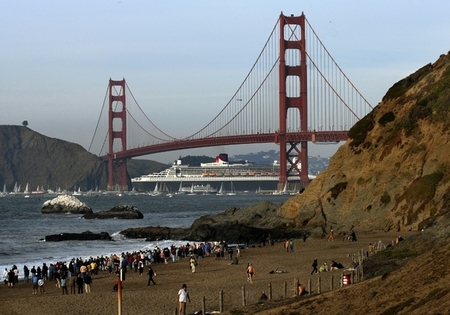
[24, 227]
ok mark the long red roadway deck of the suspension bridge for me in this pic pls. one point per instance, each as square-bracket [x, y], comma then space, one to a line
[313, 136]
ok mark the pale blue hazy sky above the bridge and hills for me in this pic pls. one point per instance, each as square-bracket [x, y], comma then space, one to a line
[56, 57]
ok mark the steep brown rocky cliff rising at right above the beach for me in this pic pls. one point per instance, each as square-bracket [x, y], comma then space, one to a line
[393, 172]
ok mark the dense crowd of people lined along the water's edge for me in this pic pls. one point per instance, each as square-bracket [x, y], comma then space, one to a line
[77, 273]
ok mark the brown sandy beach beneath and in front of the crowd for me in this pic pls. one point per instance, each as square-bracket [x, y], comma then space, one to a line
[212, 277]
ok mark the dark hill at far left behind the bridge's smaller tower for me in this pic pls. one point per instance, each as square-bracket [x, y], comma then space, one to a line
[29, 157]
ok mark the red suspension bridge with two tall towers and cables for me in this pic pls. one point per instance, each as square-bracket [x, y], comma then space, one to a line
[294, 93]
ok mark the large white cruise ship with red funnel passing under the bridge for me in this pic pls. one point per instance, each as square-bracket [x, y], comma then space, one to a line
[210, 177]
